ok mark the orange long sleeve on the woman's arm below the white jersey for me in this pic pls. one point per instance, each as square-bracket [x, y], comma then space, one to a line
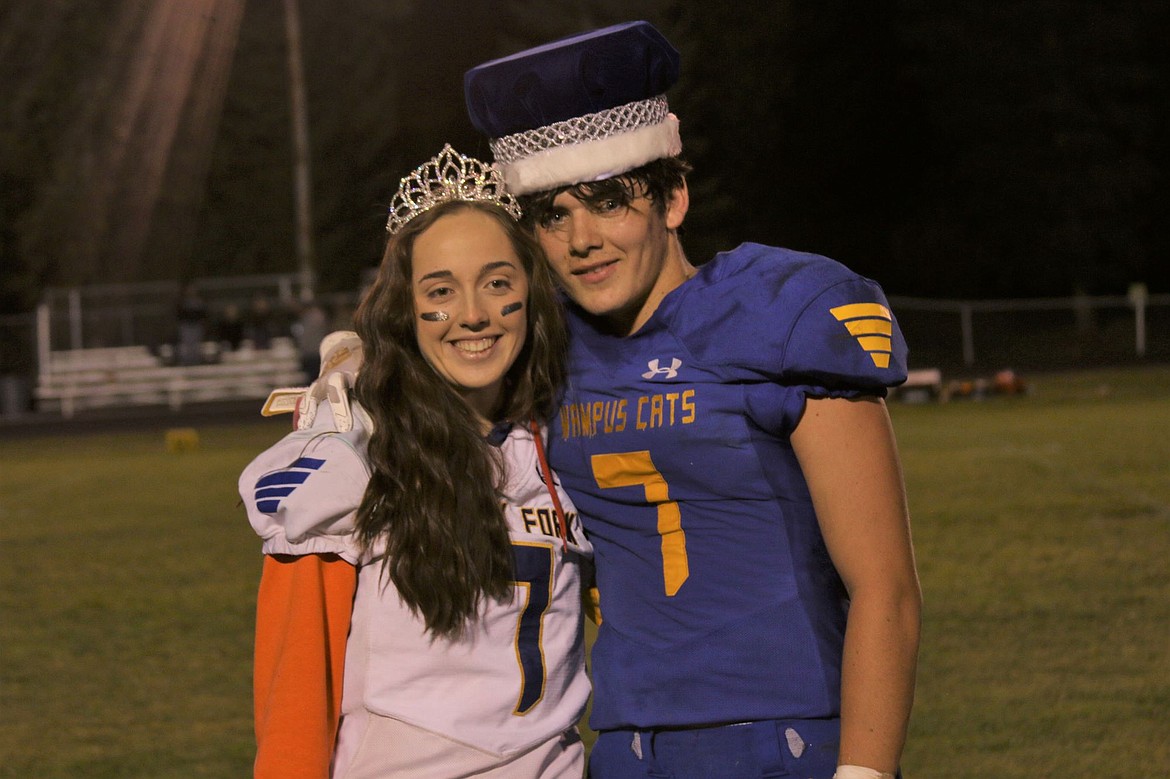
[302, 622]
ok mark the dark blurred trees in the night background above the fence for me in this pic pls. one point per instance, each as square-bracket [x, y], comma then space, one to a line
[946, 148]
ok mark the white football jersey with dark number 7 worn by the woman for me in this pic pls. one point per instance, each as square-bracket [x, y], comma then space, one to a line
[518, 677]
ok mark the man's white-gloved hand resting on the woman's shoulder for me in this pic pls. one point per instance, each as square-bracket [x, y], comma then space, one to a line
[341, 360]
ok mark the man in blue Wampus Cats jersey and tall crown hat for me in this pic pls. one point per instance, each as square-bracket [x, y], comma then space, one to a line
[725, 439]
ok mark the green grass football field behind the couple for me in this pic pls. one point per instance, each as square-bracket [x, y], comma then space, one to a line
[1042, 527]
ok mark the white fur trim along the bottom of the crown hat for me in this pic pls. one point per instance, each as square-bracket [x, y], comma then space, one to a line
[593, 161]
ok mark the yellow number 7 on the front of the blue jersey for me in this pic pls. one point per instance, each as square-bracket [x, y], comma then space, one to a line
[634, 468]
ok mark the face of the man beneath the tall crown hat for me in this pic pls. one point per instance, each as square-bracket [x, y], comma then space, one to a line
[616, 258]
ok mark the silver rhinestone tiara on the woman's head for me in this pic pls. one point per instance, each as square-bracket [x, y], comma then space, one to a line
[446, 177]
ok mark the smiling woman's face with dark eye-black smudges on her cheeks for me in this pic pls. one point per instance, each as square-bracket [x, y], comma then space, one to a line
[471, 293]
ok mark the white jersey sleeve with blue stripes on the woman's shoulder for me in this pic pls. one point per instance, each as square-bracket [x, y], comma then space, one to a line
[302, 495]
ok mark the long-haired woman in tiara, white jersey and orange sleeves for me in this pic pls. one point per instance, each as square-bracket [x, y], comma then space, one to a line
[429, 544]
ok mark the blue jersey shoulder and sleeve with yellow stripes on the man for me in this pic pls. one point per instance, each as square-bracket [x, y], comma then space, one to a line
[788, 326]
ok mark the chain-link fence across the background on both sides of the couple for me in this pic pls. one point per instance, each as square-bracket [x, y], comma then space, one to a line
[958, 337]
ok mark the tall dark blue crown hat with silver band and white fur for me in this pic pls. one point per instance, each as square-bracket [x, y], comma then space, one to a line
[581, 109]
